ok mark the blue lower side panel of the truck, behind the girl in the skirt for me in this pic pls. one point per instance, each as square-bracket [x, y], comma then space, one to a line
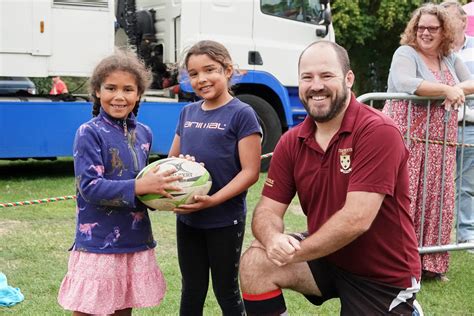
[45, 129]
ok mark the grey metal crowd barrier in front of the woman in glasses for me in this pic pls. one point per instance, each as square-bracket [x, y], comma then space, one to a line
[378, 100]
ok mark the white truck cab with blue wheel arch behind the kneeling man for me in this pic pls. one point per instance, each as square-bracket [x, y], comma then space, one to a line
[264, 38]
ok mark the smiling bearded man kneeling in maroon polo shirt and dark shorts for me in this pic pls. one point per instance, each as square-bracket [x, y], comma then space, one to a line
[348, 164]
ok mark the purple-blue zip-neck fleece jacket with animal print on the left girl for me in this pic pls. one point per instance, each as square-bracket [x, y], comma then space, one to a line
[108, 155]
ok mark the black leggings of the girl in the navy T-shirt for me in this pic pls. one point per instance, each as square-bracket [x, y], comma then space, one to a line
[217, 250]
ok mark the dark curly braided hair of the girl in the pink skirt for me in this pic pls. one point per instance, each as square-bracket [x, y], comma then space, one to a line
[121, 60]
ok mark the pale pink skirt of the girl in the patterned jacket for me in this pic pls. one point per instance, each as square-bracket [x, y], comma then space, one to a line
[104, 283]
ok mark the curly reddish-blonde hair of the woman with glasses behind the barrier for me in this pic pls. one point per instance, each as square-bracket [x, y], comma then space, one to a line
[447, 29]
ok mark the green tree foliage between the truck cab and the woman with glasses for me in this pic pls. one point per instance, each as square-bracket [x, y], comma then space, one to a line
[370, 31]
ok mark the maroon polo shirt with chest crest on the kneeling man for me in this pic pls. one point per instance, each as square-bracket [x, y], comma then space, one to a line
[366, 154]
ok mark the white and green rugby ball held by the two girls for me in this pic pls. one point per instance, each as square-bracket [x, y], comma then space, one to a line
[196, 181]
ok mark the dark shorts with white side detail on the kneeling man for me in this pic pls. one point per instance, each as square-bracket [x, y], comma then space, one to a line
[358, 295]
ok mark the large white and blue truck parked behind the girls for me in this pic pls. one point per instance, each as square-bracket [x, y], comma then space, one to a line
[41, 38]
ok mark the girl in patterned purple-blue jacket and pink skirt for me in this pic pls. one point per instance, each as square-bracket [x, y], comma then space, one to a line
[112, 266]
